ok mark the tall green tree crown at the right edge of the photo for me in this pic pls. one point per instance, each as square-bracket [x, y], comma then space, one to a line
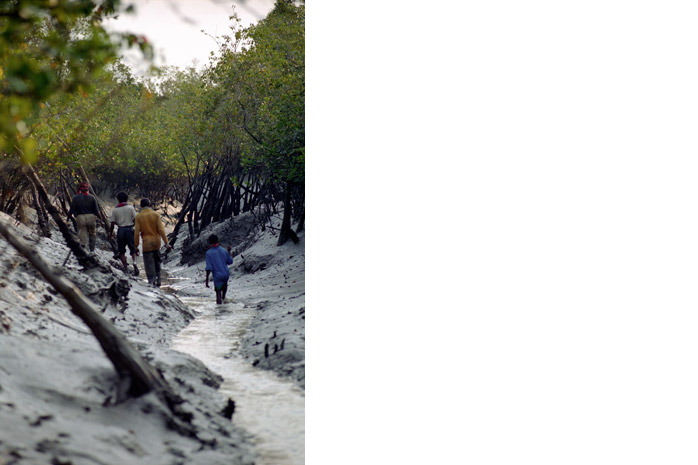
[261, 76]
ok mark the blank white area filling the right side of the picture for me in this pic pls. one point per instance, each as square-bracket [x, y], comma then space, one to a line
[502, 258]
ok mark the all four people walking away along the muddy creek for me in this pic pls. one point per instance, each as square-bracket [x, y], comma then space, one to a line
[144, 228]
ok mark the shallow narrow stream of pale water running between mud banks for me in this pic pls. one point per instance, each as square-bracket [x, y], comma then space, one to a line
[267, 406]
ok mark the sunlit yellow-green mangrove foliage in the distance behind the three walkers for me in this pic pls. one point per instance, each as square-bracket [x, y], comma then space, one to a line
[134, 134]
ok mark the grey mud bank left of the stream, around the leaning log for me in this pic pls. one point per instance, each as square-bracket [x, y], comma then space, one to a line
[57, 386]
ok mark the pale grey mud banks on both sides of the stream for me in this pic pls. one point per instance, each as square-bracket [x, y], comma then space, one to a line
[55, 379]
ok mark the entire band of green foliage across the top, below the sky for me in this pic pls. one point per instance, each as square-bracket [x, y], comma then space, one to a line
[66, 100]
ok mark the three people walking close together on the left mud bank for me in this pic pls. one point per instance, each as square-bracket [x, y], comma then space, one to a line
[133, 228]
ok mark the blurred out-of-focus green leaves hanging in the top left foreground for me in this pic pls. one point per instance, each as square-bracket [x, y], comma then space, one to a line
[50, 47]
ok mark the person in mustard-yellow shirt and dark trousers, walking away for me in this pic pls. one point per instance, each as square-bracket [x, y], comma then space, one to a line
[149, 227]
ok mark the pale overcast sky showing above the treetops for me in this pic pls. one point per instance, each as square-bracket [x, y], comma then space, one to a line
[174, 27]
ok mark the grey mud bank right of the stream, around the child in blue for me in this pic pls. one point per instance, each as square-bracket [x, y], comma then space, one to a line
[265, 277]
